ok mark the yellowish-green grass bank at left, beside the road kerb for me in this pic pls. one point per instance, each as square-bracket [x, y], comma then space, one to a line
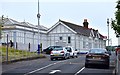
[14, 54]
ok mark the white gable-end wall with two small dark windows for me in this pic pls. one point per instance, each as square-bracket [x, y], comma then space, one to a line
[61, 31]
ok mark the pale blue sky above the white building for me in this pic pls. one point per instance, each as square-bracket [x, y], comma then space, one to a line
[74, 11]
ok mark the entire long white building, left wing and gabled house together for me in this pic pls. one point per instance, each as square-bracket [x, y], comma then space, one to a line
[24, 34]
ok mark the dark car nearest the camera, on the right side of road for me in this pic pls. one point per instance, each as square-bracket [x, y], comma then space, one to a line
[97, 56]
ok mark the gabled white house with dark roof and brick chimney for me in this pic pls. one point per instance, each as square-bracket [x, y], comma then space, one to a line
[79, 37]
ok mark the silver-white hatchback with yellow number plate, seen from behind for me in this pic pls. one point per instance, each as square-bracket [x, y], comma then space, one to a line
[59, 52]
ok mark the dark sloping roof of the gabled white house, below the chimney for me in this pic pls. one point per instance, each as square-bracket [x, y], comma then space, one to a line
[77, 28]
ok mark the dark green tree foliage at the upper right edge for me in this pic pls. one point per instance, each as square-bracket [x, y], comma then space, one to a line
[116, 23]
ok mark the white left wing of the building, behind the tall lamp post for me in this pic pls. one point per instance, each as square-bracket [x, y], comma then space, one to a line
[23, 33]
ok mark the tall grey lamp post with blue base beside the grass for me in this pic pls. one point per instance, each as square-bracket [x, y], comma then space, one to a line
[38, 16]
